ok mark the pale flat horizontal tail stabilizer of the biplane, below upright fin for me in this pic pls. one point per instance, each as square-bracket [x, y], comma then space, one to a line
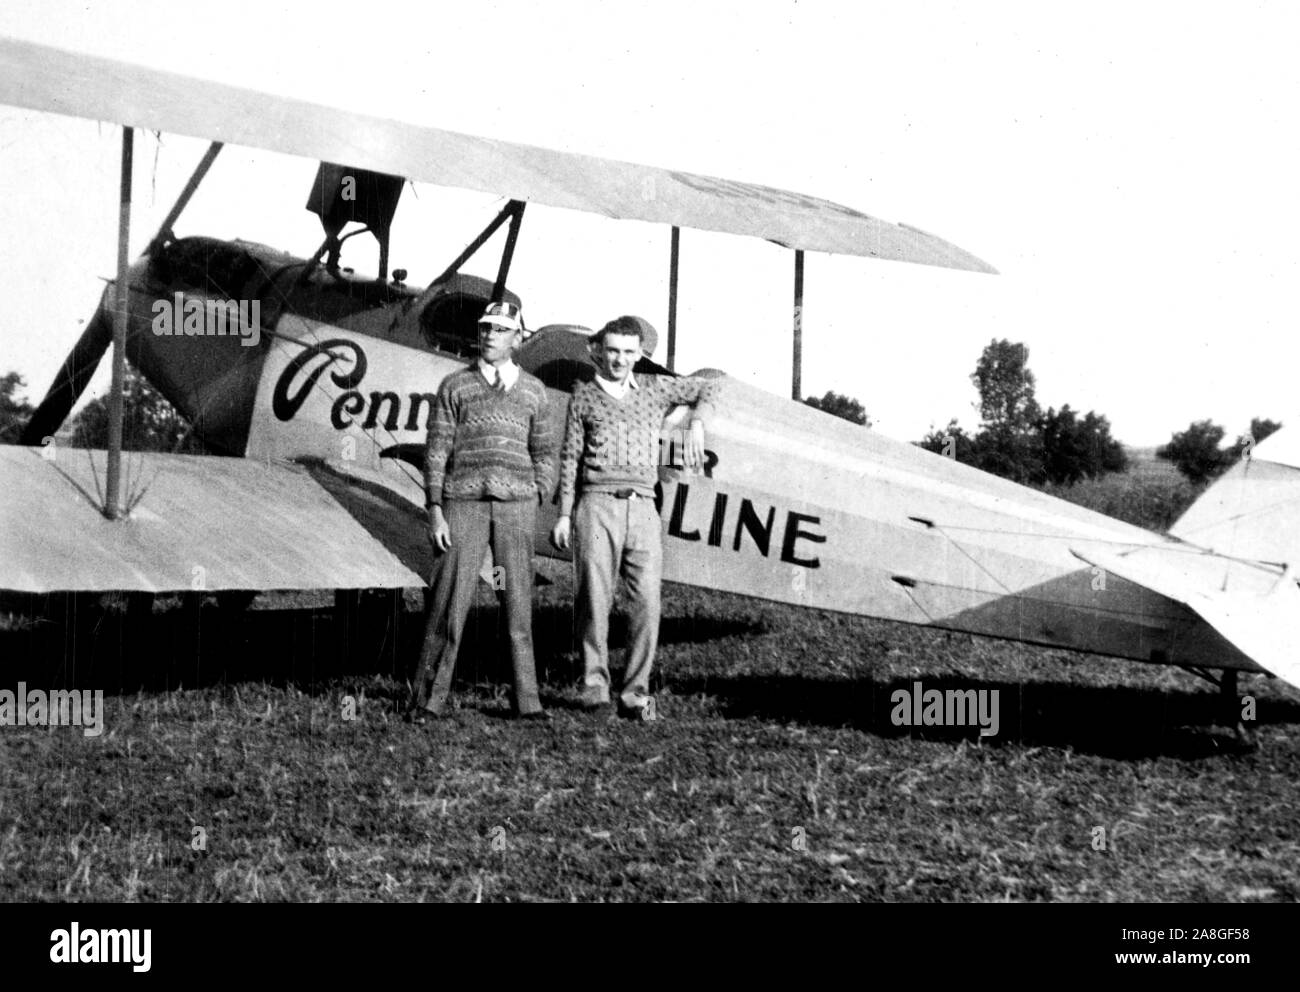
[1256, 609]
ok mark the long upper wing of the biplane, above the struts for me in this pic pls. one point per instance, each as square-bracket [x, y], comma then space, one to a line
[45, 79]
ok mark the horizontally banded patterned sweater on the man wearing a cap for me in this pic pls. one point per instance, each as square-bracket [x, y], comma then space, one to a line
[489, 445]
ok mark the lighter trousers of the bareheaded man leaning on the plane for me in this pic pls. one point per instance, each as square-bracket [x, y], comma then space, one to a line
[614, 538]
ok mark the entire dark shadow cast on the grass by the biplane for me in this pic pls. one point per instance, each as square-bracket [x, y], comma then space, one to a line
[207, 640]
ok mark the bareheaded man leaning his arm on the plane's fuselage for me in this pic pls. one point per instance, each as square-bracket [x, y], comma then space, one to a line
[610, 465]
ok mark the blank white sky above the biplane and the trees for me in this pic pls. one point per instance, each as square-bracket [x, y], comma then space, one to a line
[1132, 170]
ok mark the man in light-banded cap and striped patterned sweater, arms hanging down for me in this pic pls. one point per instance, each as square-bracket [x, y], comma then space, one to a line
[487, 469]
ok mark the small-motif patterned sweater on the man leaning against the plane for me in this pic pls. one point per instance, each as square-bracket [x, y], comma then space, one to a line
[614, 444]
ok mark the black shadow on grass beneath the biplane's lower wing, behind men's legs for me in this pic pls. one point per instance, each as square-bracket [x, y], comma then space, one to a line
[193, 642]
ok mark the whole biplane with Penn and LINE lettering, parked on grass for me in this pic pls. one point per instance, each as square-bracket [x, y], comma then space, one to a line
[318, 383]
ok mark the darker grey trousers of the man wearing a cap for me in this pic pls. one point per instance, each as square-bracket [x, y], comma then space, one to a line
[508, 527]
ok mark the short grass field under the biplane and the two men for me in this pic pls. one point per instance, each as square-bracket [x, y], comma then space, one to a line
[777, 773]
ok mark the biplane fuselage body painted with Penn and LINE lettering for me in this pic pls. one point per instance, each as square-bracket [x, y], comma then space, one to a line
[792, 505]
